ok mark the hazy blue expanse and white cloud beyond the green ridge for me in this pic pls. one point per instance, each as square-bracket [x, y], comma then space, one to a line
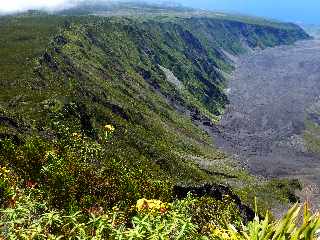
[300, 11]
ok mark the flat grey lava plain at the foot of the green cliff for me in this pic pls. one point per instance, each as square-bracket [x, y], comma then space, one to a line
[270, 93]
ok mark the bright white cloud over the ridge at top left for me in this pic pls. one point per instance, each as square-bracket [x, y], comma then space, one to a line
[10, 6]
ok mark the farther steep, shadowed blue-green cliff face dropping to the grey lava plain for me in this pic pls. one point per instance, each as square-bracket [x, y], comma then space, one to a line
[189, 47]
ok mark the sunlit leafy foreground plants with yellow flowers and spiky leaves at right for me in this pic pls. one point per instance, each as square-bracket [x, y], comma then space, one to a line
[191, 218]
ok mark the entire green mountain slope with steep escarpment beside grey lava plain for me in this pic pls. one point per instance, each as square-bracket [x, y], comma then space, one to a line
[102, 111]
